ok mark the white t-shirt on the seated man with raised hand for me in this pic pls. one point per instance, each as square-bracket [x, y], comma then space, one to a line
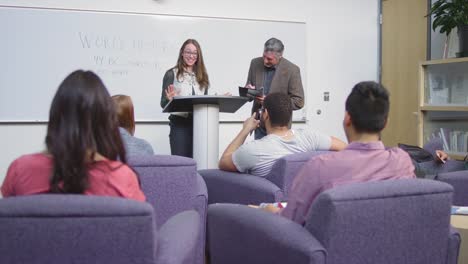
[258, 156]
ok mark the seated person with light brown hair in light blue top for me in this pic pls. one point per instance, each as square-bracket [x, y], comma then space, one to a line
[133, 145]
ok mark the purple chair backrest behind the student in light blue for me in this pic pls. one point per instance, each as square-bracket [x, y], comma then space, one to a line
[169, 183]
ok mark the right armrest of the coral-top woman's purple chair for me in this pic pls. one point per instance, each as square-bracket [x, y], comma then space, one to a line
[177, 238]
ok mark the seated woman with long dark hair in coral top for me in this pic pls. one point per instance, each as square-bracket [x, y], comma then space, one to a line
[83, 145]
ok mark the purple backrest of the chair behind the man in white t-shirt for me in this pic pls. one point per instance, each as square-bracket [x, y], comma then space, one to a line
[286, 168]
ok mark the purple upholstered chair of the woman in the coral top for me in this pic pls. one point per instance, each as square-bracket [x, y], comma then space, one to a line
[75, 229]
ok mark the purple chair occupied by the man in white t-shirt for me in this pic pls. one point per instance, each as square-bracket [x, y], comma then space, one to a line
[240, 188]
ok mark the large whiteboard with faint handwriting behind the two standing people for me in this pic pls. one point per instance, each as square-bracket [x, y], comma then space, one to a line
[130, 52]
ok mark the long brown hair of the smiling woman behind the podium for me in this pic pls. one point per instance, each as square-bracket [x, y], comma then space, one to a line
[198, 68]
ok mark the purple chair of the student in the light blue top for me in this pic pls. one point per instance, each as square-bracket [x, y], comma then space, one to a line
[172, 185]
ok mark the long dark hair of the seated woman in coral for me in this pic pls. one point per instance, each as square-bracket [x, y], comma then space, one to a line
[82, 122]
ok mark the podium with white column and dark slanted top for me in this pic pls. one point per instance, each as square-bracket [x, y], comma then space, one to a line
[205, 110]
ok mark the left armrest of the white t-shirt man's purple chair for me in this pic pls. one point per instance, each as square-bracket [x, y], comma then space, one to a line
[233, 187]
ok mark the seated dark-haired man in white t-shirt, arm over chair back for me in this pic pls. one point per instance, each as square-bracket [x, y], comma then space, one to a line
[257, 157]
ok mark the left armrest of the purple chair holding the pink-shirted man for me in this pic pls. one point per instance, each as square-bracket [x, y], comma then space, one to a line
[240, 234]
